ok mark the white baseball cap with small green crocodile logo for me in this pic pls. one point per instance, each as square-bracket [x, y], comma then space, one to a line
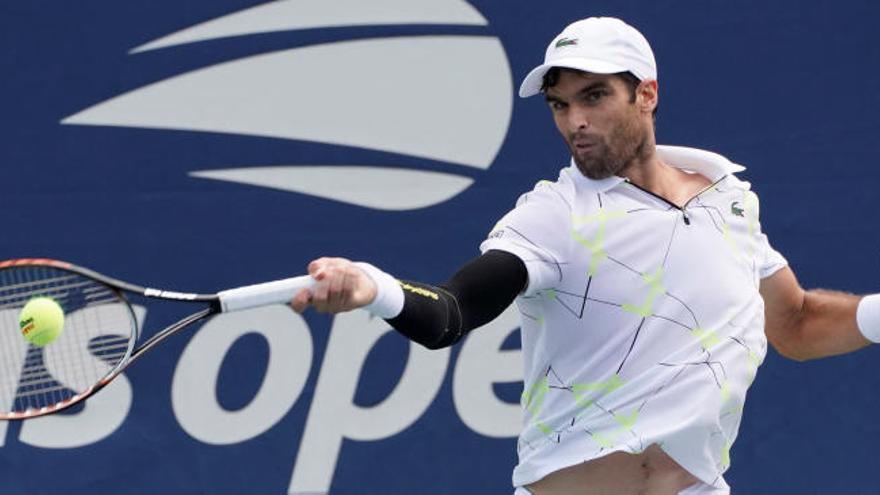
[600, 45]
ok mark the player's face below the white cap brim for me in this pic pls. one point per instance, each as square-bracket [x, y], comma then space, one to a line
[599, 122]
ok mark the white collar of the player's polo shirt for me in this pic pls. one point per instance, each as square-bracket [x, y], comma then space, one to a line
[712, 165]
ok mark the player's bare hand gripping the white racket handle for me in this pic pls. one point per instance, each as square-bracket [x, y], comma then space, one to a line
[341, 286]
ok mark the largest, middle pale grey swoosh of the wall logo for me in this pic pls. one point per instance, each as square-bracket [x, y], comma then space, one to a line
[445, 98]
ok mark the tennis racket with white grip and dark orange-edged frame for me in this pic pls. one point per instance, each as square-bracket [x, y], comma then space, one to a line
[99, 339]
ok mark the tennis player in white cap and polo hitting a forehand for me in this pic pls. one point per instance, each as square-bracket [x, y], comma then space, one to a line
[647, 290]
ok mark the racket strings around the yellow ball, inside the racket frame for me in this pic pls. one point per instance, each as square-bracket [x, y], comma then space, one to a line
[97, 336]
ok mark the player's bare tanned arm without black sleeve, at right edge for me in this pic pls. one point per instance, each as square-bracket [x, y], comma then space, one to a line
[810, 324]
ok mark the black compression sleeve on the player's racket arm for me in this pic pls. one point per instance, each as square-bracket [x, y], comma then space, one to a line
[438, 317]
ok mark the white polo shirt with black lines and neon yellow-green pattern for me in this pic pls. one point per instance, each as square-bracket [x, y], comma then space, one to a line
[641, 322]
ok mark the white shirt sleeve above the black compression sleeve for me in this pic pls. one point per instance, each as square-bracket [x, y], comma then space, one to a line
[537, 231]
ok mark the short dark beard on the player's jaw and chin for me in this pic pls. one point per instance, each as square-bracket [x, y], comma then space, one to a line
[624, 145]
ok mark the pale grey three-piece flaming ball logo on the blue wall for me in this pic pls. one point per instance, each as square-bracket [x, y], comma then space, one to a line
[445, 98]
